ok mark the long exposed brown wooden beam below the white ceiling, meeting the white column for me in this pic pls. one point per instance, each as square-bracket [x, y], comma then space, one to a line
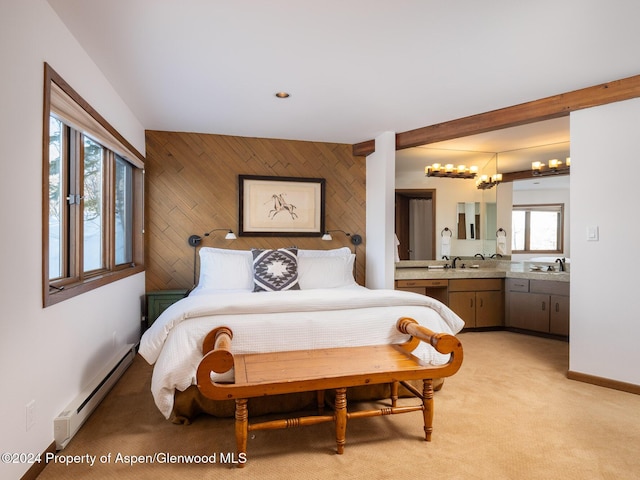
[538, 110]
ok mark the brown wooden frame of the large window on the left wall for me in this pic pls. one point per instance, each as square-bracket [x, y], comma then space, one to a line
[74, 281]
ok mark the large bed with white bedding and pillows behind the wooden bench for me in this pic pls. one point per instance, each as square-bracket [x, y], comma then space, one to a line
[277, 300]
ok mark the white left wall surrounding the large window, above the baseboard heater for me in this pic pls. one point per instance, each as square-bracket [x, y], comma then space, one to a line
[47, 355]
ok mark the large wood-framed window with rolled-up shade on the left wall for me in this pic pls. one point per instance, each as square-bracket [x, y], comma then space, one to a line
[92, 225]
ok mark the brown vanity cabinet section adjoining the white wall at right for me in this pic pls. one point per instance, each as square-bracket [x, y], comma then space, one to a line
[538, 305]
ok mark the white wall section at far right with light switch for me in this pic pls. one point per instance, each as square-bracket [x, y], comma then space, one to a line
[605, 331]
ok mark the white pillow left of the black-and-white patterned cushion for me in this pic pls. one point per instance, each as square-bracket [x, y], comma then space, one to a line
[222, 269]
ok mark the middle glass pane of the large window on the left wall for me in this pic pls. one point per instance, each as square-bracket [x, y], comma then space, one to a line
[93, 206]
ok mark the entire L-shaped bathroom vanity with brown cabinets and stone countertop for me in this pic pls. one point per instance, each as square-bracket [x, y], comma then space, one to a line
[492, 294]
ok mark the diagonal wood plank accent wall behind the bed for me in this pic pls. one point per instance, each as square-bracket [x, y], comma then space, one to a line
[191, 187]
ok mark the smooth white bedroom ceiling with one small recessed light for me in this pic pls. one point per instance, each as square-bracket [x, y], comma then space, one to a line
[353, 68]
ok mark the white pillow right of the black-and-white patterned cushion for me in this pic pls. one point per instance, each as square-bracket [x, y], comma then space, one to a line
[330, 271]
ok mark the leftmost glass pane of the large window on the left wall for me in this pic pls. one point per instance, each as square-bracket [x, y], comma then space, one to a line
[56, 199]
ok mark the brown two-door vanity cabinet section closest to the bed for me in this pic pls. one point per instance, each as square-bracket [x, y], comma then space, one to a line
[479, 302]
